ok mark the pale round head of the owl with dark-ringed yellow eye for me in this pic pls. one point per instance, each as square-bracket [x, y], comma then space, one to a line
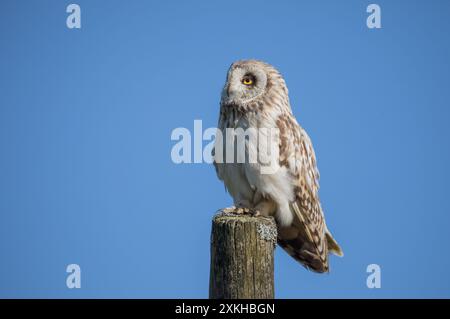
[249, 81]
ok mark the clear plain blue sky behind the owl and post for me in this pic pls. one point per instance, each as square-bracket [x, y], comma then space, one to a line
[86, 117]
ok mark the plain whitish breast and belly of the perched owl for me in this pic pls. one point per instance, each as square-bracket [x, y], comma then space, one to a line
[251, 160]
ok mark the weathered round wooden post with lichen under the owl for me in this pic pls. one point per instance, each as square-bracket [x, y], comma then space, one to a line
[242, 248]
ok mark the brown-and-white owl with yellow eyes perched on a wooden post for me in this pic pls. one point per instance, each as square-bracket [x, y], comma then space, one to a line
[255, 99]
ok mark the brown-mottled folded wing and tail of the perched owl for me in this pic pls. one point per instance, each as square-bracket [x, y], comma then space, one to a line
[307, 239]
